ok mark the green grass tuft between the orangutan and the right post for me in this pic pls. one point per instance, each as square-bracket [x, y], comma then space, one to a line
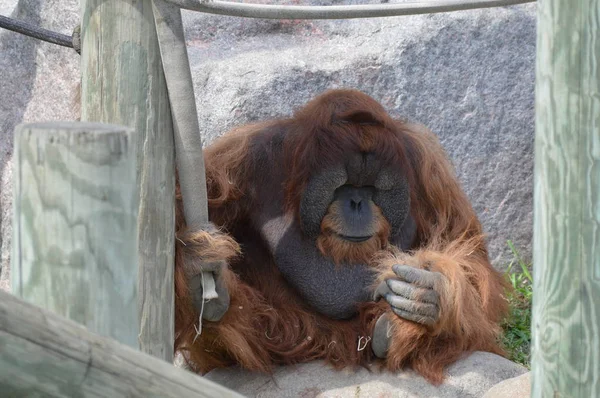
[517, 326]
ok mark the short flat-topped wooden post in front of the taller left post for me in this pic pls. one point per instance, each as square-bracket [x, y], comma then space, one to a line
[75, 213]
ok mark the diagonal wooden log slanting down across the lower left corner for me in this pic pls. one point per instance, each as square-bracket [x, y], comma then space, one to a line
[45, 355]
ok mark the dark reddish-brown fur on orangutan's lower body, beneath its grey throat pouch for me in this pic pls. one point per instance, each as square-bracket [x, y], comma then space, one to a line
[262, 329]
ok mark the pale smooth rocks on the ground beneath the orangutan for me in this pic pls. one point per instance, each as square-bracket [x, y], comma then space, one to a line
[467, 378]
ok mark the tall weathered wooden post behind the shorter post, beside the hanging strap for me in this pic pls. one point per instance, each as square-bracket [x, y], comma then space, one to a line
[123, 83]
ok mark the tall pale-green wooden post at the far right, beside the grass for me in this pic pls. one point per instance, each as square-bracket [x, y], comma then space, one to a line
[566, 319]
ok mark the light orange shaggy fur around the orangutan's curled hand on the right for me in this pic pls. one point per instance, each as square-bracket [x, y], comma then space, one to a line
[470, 307]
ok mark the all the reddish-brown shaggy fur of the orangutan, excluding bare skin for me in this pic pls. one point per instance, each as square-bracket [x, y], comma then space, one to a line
[267, 322]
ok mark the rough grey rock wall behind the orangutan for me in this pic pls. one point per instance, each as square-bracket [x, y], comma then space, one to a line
[468, 75]
